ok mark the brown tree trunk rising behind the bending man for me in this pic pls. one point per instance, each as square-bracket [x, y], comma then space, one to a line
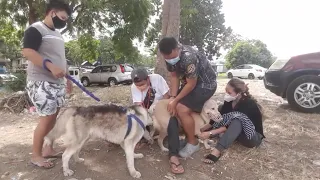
[170, 27]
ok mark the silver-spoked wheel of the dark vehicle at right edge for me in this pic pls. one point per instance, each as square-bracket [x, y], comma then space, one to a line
[303, 93]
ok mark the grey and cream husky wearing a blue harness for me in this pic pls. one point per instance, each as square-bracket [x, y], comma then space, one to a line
[124, 126]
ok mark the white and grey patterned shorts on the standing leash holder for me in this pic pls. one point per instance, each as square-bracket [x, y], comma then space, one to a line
[46, 97]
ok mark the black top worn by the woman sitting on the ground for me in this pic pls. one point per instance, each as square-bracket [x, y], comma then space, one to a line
[248, 107]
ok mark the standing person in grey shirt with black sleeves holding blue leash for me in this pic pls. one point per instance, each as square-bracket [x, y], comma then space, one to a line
[43, 46]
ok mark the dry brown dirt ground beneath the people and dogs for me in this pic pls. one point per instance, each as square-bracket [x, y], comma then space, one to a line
[291, 150]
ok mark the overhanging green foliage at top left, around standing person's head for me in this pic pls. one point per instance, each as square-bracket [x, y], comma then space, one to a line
[127, 19]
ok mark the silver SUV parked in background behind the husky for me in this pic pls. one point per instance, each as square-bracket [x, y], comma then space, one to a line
[111, 74]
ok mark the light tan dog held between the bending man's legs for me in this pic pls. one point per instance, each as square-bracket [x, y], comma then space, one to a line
[161, 117]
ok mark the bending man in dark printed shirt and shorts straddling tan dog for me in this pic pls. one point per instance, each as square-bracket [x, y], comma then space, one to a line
[198, 84]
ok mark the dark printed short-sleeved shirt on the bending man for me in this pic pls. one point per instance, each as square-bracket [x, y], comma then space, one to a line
[193, 64]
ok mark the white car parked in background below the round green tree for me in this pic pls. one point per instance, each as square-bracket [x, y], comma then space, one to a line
[250, 71]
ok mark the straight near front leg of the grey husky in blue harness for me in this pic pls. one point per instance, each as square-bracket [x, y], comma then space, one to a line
[128, 147]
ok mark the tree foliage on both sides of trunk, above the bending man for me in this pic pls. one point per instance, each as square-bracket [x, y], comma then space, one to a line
[202, 25]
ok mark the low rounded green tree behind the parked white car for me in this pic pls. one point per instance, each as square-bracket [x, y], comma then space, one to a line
[249, 52]
